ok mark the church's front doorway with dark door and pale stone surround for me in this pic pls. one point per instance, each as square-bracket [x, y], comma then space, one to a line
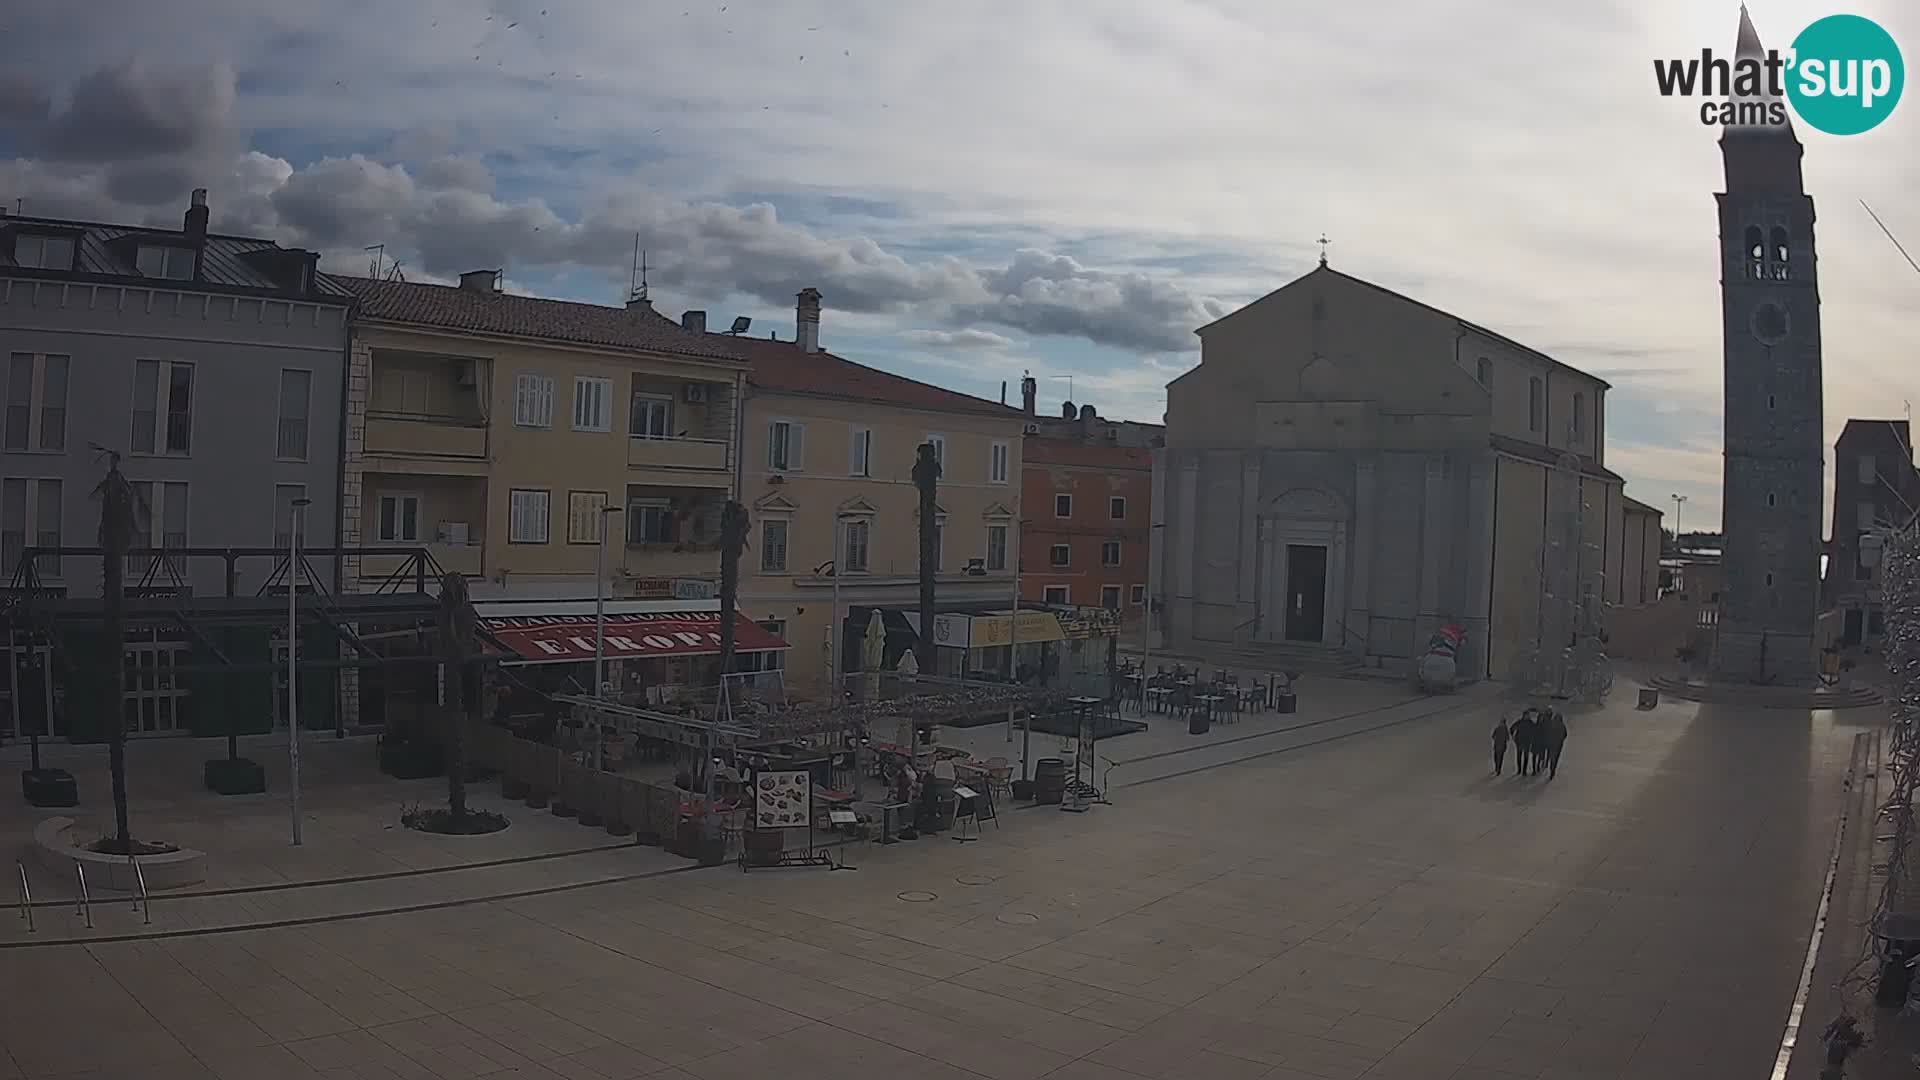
[1303, 564]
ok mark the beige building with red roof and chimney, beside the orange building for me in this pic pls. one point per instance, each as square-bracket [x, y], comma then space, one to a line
[828, 453]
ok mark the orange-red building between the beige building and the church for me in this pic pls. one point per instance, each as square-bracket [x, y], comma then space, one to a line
[1086, 524]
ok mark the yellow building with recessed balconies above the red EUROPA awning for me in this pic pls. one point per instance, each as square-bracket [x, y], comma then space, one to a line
[502, 431]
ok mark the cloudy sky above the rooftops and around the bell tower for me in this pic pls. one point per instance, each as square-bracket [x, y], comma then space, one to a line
[997, 187]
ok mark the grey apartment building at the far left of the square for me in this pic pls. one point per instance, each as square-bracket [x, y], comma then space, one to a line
[214, 366]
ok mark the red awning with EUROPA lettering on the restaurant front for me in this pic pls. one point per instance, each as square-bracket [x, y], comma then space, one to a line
[565, 639]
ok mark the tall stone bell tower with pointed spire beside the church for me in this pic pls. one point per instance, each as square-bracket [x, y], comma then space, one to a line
[1775, 433]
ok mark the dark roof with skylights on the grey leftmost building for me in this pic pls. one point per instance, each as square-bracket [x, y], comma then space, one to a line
[110, 253]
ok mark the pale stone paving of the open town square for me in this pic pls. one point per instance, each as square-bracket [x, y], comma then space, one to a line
[1374, 906]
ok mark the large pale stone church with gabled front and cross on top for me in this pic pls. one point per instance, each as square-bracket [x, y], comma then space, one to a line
[1351, 470]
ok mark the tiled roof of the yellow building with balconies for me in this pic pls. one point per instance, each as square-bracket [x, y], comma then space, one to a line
[454, 308]
